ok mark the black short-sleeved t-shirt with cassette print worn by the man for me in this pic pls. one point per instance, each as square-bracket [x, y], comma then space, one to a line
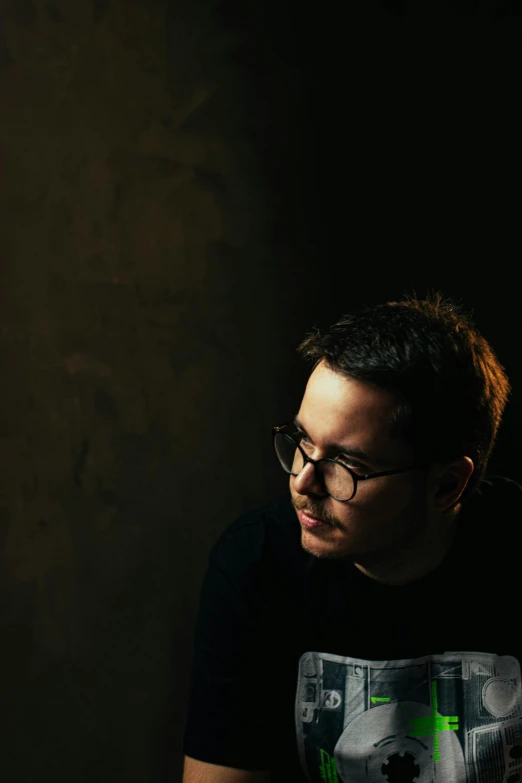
[311, 669]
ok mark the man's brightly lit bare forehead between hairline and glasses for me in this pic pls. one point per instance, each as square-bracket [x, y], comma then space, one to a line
[338, 409]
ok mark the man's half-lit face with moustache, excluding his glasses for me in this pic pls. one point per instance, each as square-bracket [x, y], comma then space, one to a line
[386, 512]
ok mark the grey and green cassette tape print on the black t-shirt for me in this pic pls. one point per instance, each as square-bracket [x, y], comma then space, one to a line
[449, 718]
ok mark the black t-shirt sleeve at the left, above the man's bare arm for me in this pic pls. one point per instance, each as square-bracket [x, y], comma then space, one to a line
[229, 720]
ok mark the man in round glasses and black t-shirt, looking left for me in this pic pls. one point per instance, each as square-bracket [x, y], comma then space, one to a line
[363, 626]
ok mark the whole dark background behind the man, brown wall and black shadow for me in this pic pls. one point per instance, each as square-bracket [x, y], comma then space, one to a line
[186, 188]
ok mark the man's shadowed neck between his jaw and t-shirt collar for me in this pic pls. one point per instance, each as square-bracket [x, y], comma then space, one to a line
[413, 559]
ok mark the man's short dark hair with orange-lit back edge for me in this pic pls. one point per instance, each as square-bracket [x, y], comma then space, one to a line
[451, 386]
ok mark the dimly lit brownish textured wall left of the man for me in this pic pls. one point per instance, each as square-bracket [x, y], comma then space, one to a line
[140, 334]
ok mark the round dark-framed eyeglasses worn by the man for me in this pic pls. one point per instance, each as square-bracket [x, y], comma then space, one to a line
[338, 480]
